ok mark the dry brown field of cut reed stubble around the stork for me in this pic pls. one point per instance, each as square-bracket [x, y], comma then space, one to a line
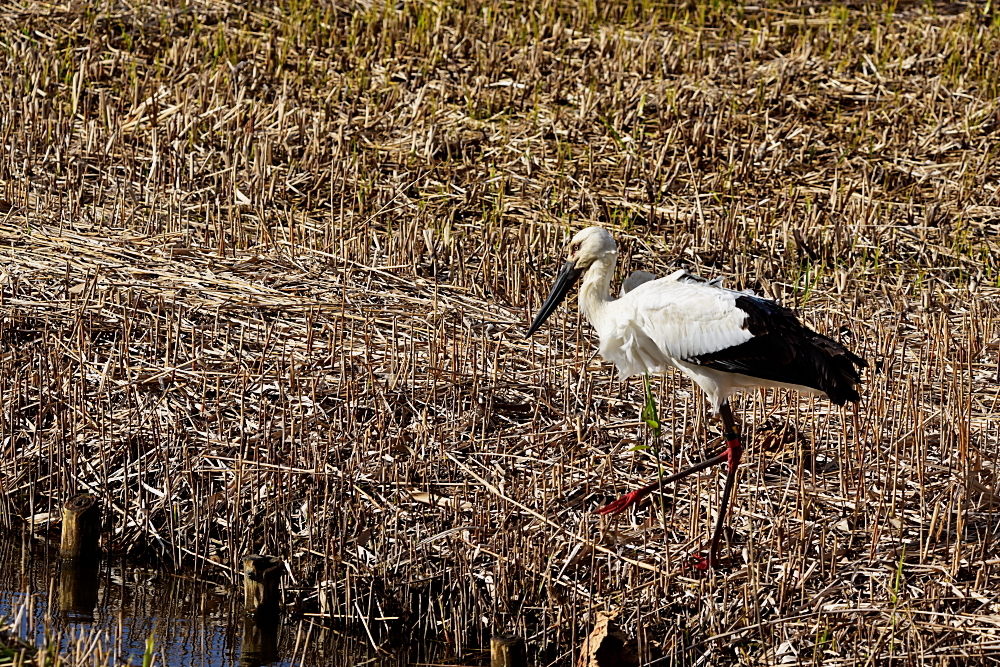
[266, 268]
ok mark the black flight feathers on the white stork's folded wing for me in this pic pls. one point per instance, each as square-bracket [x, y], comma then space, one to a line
[784, 350]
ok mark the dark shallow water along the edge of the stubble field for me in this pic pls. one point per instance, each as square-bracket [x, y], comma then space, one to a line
[118, 607]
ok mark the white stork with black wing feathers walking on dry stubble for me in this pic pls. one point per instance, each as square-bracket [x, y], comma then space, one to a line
[723, 339]
